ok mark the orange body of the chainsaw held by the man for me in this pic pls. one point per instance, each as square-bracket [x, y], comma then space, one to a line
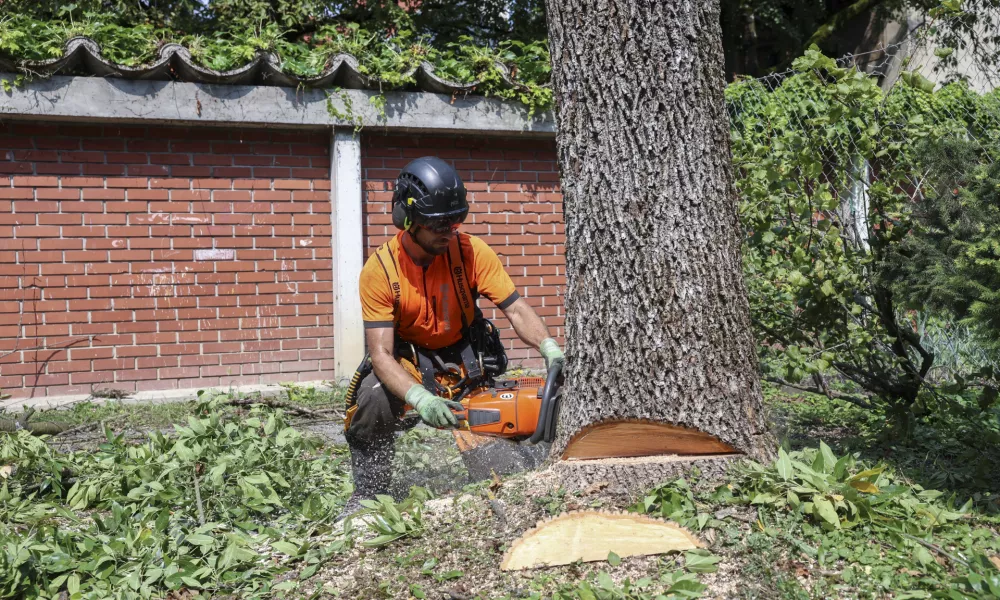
[509, 410]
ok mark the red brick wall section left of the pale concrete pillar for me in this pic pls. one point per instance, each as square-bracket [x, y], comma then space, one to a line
[146, 258]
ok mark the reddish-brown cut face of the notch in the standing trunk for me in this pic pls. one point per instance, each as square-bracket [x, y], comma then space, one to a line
[636, 438]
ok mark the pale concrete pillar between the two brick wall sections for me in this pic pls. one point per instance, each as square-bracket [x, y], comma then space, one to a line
[348, 252]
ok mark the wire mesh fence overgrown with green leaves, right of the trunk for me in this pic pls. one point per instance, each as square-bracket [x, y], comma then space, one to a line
[830, 156]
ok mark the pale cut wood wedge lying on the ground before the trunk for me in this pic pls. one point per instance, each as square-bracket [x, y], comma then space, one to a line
[590, 536]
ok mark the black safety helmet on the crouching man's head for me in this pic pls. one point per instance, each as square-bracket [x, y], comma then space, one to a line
[428, 193]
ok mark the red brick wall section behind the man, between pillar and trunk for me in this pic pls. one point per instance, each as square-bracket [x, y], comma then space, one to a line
[515, 207]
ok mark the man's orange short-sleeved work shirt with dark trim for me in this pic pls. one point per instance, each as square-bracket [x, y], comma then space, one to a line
[429, 311]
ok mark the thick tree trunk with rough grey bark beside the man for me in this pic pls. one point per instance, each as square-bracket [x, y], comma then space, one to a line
[658, 323]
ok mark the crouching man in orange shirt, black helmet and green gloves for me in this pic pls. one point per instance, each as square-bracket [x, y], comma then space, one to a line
[418, 297]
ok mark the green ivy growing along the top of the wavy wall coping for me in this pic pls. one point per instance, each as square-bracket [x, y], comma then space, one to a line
[389, 57]
